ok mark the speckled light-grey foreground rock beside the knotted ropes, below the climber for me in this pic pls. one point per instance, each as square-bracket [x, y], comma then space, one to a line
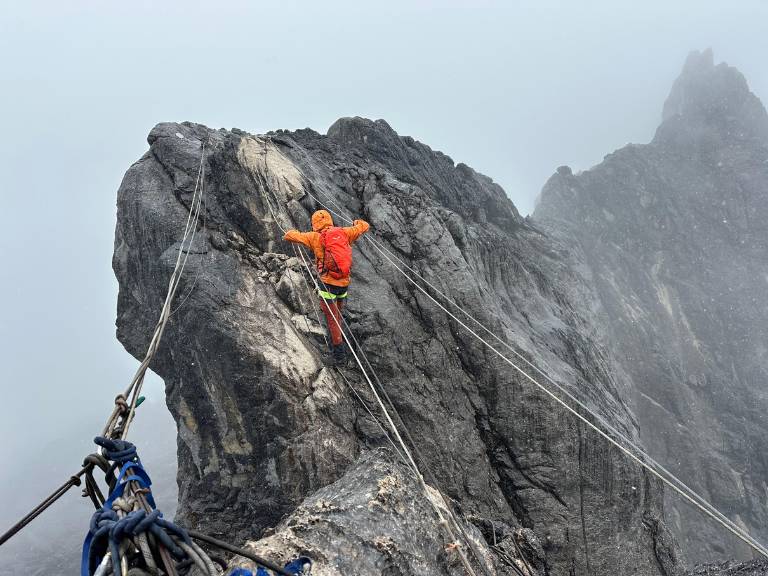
[373, 520]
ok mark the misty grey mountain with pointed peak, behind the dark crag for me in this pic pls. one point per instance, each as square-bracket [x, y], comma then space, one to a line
[674, 234]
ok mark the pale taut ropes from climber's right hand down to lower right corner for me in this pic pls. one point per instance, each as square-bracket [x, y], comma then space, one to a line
[639, 455]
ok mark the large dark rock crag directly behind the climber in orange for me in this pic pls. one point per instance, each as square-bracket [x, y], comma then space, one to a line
[263, 424]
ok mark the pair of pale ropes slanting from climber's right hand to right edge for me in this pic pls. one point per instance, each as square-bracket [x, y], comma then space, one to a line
[673, 482]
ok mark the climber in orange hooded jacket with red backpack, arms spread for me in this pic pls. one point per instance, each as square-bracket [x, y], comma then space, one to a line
[333, 258]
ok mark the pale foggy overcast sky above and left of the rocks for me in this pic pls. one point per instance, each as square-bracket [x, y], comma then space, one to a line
[513, 89]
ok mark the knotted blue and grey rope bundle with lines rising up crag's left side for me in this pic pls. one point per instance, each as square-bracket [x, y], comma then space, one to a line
[127, 532]
